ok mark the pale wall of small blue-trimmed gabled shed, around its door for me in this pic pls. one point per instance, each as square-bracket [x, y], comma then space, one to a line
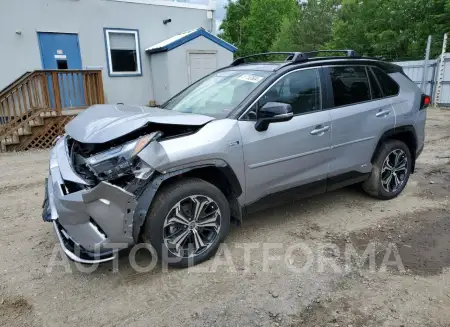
[178, 61]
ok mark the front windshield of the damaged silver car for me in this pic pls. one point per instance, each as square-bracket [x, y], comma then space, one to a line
[218, 94]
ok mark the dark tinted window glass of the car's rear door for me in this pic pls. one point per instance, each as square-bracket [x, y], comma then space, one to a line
[350, 85]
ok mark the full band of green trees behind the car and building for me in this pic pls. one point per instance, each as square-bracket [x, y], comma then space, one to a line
[394, 29]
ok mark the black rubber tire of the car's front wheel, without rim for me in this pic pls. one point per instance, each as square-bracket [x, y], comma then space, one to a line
[165, 200]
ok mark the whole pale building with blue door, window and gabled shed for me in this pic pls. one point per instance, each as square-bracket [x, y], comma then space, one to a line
[148, 50]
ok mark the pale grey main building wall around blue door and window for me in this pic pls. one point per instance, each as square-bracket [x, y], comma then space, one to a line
[20, 53]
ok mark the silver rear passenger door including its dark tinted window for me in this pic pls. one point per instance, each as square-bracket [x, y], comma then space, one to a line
[360, 115]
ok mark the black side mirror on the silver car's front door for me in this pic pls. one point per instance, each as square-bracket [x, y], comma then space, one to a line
[273, 112]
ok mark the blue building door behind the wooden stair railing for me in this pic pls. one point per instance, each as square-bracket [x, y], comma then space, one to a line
[62, 51]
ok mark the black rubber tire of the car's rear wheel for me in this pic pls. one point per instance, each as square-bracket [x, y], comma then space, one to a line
[374, 185]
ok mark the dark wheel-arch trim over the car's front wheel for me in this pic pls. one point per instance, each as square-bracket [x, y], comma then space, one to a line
[149, 190]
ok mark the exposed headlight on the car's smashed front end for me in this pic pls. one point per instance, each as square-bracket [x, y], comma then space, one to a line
[120, 160]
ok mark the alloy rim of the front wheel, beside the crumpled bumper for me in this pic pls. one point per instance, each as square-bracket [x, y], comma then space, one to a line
[192, 226]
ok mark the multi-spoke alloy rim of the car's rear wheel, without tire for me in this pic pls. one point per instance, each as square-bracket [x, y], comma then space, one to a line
[394, 171]
